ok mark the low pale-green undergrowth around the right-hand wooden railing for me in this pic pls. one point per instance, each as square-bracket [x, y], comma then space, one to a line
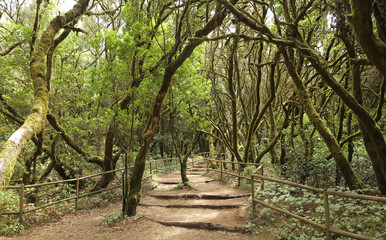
[363, 217]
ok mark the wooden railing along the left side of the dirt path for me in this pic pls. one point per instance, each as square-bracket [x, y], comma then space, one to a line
[154, 167]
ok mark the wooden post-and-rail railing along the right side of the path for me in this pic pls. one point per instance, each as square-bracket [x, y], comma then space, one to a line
[260, 178]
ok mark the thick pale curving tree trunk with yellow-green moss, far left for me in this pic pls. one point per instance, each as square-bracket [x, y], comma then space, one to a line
[34, 124]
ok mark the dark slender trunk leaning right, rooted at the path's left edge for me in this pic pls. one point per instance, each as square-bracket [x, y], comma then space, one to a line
[132, 199]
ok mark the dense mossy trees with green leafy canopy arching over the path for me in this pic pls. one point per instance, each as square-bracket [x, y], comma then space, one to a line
[300, 84]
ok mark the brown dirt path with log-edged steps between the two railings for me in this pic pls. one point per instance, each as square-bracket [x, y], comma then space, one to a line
[208, 210]
